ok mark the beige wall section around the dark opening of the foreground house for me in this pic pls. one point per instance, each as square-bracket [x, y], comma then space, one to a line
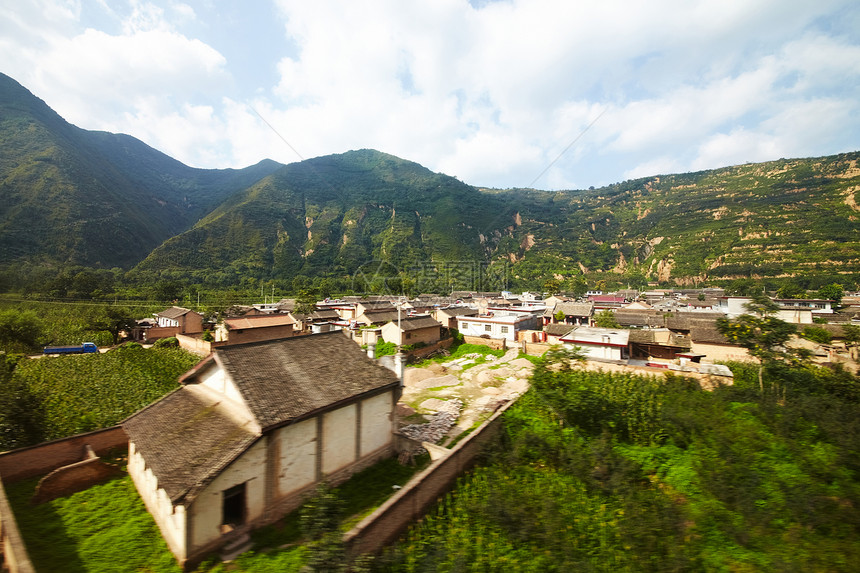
[205, 511]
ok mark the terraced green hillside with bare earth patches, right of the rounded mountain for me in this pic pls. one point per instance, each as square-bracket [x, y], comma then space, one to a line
[781, 218]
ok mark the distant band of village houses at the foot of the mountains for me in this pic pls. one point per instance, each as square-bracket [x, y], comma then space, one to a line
[659, 328]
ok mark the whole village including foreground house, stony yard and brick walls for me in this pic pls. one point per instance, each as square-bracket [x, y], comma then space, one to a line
[283, 400]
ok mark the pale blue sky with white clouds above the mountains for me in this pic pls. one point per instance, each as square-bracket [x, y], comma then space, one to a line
[551, 94]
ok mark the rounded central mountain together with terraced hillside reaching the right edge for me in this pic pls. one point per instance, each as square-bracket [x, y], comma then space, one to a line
[332, 214]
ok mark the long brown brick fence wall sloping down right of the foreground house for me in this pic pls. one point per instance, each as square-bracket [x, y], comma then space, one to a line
[412, 502]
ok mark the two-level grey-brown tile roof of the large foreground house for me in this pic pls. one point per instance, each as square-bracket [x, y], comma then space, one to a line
[187, 440]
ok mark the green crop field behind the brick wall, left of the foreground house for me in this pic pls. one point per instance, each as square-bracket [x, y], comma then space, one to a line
[55, 397]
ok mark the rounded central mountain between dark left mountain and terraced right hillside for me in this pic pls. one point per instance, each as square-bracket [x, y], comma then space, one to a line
[334, 214]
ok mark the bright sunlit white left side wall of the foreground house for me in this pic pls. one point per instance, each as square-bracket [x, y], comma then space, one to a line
[170, 519]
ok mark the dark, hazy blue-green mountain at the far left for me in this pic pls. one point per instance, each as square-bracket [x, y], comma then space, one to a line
[71, 196]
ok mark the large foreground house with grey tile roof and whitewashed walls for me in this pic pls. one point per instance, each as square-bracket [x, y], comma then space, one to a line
[251, 429]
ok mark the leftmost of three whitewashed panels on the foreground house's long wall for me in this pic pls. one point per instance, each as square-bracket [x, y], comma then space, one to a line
[297, 456]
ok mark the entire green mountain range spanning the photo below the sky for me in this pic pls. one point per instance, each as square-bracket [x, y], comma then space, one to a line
[70, 196]
